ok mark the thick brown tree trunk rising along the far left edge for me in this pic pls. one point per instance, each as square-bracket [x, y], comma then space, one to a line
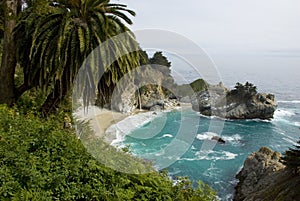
[8, 62]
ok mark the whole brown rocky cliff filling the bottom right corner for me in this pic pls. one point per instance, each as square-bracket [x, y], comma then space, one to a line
[264, 177]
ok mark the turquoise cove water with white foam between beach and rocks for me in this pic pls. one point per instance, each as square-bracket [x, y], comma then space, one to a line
[183, 145]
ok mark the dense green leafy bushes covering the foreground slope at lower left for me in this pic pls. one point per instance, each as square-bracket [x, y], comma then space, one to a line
[42, 160]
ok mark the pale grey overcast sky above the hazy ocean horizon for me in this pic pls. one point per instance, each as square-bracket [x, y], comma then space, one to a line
[266, 25]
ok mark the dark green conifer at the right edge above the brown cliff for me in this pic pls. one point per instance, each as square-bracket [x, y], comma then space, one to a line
[291, 158]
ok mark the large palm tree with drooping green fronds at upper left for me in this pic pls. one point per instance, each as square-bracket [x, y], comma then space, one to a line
[62, 38]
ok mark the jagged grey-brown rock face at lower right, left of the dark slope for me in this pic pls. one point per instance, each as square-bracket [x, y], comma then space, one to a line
[260, 171]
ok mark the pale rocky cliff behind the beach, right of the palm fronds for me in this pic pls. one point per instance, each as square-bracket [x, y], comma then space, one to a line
[145, 91]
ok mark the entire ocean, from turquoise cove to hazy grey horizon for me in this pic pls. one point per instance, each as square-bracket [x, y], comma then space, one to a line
[181, 143]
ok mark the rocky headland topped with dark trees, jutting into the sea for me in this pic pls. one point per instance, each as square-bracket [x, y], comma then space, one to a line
[243, 102]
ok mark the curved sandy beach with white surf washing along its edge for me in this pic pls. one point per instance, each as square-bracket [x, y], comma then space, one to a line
[113, 126]
